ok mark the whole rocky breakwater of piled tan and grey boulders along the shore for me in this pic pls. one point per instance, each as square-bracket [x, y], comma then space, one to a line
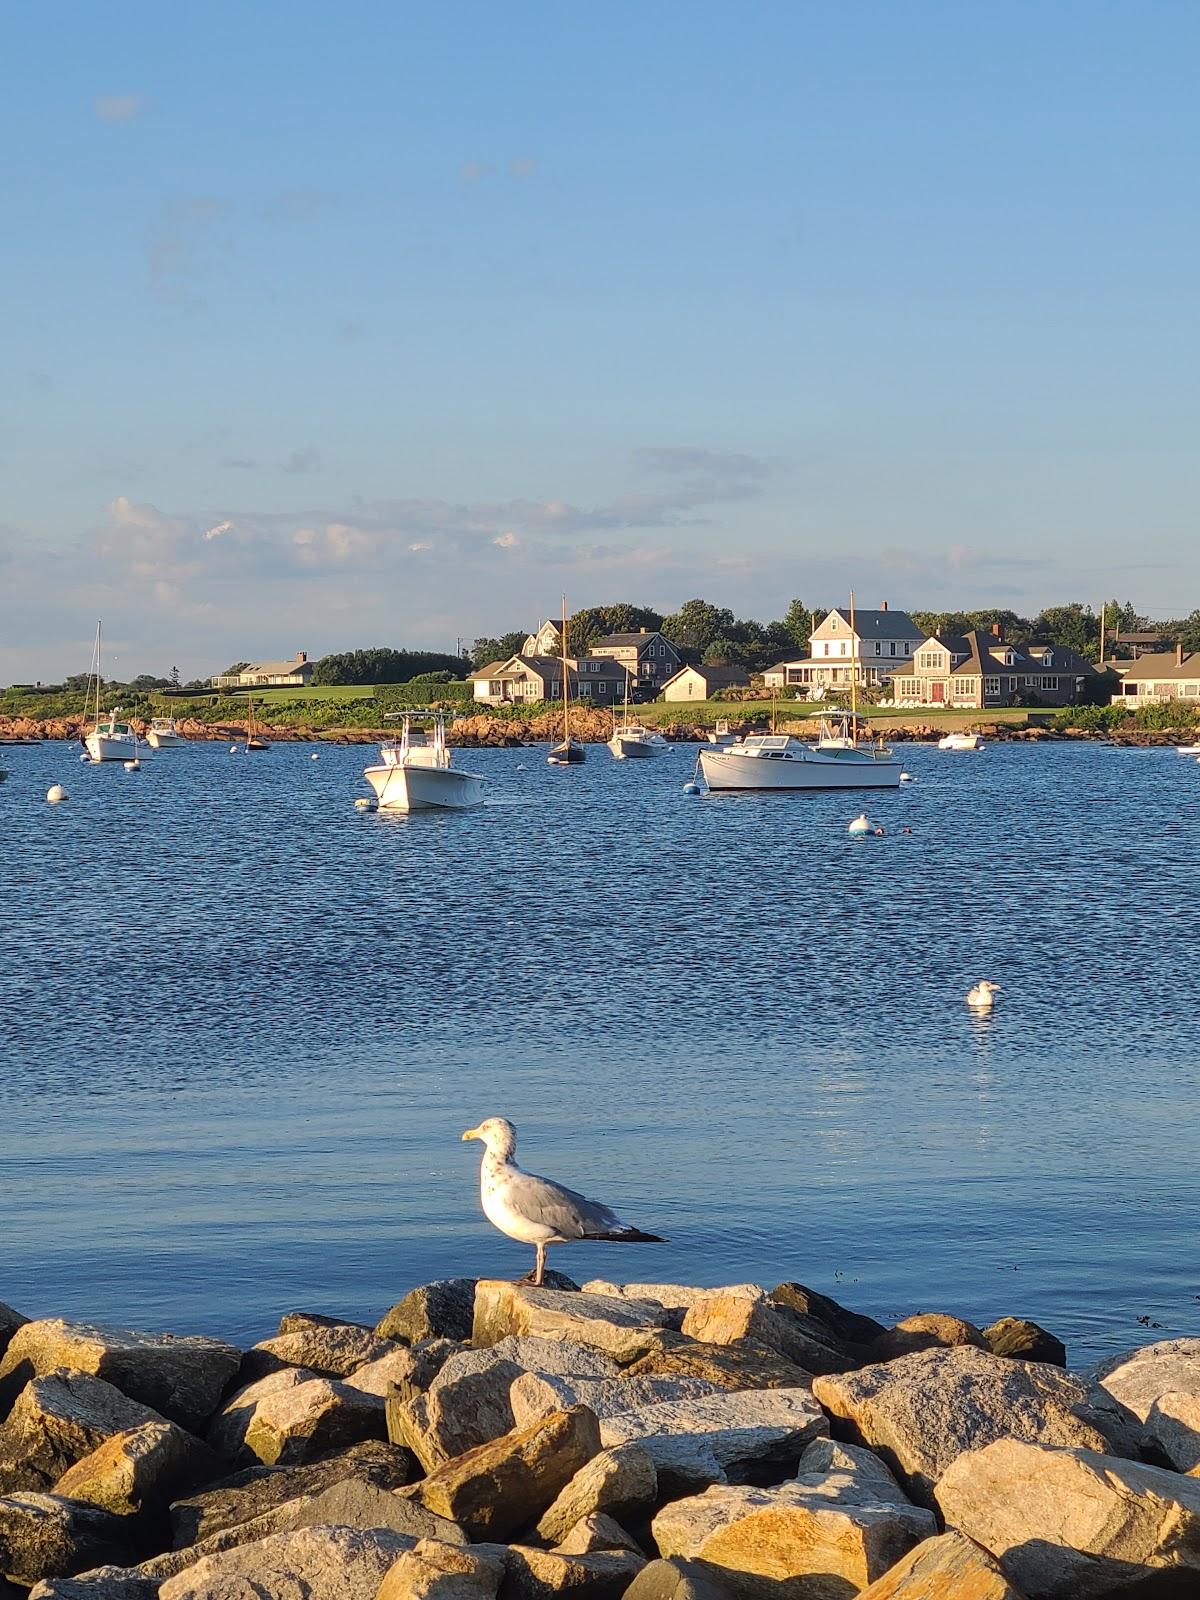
[490, 1441]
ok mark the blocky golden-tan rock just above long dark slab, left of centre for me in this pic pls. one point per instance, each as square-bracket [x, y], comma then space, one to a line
[292, 1417]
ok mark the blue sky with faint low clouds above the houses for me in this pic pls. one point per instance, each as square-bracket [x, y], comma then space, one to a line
[386, 324]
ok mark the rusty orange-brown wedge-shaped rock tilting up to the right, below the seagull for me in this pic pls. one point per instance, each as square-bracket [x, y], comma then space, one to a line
[510, 1482]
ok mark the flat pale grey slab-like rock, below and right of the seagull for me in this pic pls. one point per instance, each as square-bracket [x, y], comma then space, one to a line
[722, 1438]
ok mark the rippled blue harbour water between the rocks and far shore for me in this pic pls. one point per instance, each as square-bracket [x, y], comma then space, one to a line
[244, 1026]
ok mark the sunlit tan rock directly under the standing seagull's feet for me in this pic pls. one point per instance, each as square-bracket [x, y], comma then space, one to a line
[620, 1329]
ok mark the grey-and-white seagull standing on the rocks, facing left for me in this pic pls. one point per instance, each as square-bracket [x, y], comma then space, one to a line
[535, 1210]
